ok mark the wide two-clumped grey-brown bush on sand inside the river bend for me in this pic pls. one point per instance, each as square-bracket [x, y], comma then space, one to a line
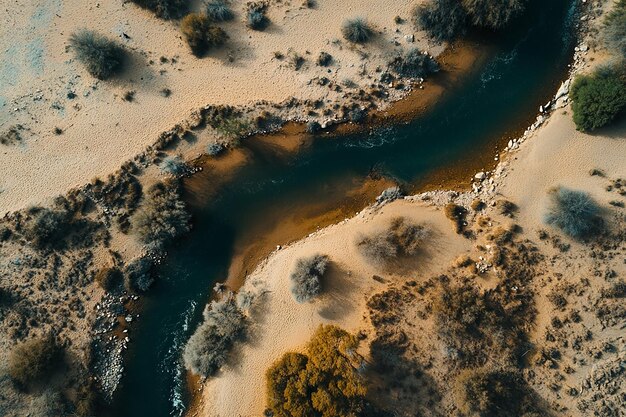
[401, 238]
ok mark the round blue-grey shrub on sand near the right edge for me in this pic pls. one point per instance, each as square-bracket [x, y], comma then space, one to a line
[574, 212]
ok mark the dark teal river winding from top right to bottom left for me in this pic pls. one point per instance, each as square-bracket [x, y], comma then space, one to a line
[528, 62]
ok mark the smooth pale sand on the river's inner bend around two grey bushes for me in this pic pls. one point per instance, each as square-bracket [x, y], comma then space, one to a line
[281, 324]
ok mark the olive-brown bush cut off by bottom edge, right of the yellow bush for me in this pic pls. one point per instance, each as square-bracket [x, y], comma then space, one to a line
[494, 393]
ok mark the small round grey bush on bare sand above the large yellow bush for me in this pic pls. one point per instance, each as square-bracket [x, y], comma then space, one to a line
[306, 277]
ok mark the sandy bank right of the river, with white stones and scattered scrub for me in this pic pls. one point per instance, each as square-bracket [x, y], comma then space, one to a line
[550, 153]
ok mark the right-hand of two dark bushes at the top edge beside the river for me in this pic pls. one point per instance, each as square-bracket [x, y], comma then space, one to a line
[494, 14]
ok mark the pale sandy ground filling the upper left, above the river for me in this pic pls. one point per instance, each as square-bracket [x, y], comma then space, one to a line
[101, 130]
